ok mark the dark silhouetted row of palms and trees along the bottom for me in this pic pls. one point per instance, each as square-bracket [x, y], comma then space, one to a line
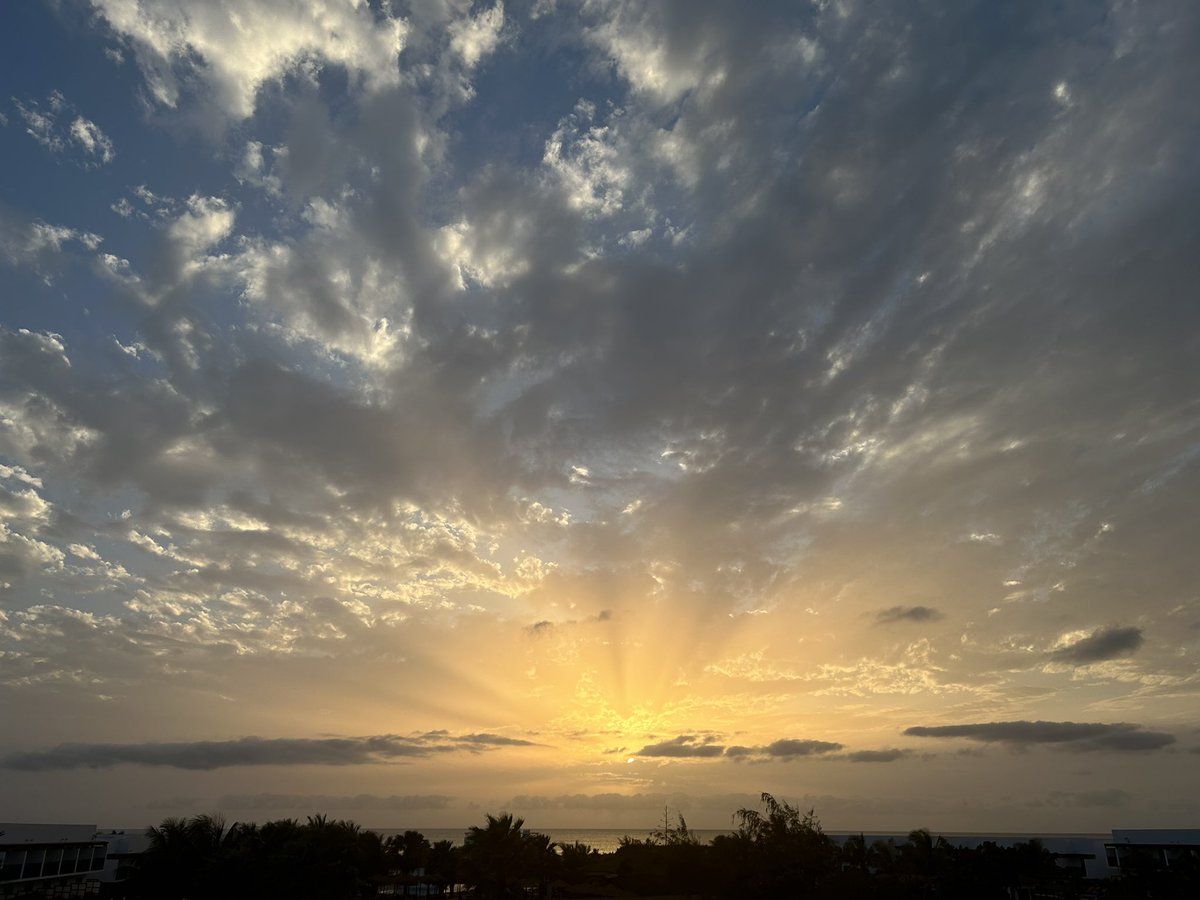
[773, 853]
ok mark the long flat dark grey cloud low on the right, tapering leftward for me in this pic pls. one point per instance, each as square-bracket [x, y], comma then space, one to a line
[1119, 737]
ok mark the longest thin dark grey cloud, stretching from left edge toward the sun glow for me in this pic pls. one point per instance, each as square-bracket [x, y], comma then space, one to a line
[206, 755]
